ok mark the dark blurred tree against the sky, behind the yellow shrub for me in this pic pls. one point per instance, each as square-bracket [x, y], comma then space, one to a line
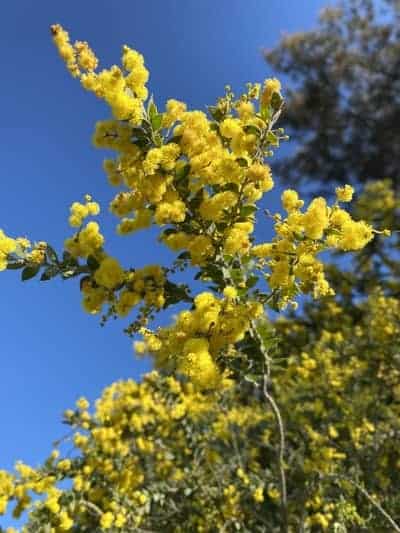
[343, 107]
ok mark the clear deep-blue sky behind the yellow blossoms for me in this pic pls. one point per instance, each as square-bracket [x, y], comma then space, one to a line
[51, 352]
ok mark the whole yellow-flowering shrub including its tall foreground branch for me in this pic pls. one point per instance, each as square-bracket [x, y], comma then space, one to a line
[246, 424]
